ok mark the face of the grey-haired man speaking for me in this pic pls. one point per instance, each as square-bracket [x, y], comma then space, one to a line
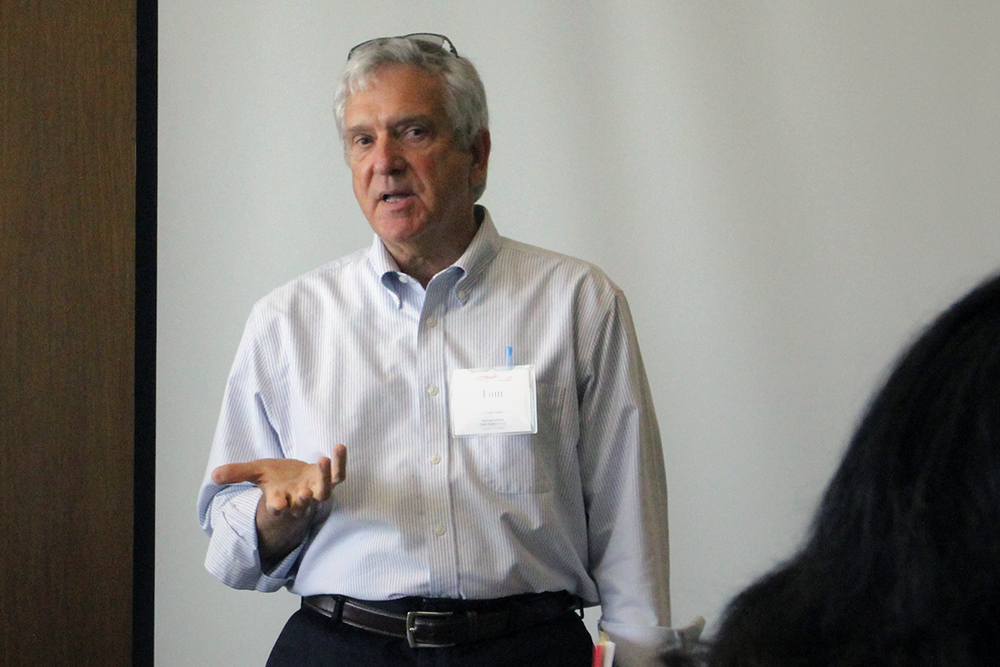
[413, 183]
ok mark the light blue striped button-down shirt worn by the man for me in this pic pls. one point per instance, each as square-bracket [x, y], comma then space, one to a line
[358, 353]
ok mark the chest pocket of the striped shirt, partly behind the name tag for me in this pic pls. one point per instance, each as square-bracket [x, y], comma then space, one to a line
[526, 463]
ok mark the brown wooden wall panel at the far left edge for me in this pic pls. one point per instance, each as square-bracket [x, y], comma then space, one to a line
[67, 333]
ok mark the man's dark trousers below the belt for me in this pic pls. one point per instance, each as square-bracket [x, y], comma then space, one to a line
[310, 639]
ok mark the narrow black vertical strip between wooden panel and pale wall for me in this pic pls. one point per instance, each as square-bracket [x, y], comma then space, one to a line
[145, 336]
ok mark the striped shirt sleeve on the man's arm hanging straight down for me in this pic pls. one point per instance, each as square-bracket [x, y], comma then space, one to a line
[624, 490]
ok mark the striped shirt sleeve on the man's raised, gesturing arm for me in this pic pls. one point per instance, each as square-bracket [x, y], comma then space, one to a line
[247, 430]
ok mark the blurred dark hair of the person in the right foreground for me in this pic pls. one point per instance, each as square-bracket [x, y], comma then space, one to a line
[902, 565]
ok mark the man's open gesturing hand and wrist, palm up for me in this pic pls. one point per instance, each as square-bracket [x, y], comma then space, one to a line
[292, 492]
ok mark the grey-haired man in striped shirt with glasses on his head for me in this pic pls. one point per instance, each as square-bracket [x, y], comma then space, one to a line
[506, 468]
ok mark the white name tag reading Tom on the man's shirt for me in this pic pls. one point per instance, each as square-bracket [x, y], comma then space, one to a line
[493, 401]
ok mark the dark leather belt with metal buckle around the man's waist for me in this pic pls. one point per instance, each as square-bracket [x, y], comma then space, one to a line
[449, 622]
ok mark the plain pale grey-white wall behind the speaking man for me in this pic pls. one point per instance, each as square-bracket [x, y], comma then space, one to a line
[785, 190]
